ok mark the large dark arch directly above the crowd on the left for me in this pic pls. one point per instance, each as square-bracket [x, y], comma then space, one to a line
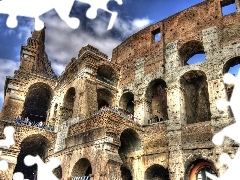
[37, 102]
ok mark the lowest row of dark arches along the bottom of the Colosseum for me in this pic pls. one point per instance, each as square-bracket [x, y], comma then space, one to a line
[37, 144]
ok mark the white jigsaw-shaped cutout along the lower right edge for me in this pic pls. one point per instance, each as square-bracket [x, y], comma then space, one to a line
[231, 131]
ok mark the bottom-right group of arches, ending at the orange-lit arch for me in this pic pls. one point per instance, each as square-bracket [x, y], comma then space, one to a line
[130, 142]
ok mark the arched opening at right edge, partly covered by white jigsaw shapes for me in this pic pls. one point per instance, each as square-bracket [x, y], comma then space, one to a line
[231, 66]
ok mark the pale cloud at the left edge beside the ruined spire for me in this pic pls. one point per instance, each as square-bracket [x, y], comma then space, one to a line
[7, 68]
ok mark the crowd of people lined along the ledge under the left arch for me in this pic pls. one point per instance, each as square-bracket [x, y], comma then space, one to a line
[26, 121]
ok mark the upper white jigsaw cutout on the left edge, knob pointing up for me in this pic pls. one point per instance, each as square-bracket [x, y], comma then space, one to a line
[9, 137]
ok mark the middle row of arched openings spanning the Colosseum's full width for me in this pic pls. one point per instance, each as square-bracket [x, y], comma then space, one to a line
[193, 85]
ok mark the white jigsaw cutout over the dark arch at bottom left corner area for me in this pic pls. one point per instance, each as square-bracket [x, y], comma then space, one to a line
[44, 171]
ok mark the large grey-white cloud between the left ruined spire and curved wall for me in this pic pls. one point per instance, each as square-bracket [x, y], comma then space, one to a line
[63, 43]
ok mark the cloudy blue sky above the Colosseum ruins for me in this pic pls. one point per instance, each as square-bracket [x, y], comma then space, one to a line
[63, 43]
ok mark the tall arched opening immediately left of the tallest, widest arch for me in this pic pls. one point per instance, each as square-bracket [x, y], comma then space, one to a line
[156, 95]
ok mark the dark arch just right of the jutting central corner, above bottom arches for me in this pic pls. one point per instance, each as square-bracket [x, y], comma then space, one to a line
[130, 142]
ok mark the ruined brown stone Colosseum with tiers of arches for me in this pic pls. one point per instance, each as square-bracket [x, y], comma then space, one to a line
[145, 115]
